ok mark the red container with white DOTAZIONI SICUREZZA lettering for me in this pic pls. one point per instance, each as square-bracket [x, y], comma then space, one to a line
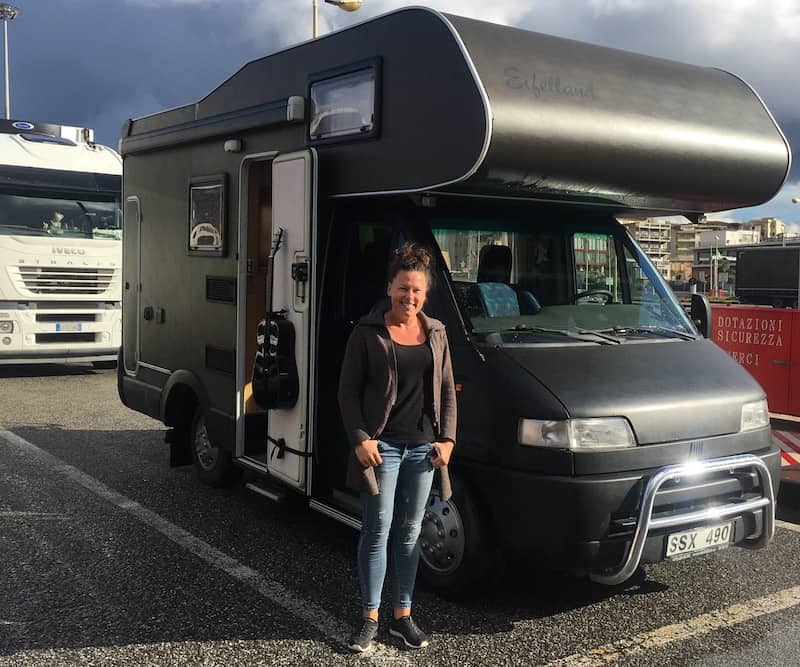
[766, 341]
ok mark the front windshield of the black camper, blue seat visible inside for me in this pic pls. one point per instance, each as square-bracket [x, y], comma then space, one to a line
[591, 282]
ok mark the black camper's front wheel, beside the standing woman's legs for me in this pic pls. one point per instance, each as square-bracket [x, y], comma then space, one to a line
[458, 553]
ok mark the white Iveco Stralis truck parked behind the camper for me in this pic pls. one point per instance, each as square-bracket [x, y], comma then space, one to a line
[60, 245]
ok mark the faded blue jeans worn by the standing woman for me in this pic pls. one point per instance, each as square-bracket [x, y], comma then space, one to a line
[394, 517]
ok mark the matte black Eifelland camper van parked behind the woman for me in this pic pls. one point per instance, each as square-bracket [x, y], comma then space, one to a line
[599, 427]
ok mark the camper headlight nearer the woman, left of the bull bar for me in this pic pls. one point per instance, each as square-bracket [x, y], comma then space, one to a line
[599, 433]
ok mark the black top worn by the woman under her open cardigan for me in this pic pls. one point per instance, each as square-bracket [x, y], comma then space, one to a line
[410, 421]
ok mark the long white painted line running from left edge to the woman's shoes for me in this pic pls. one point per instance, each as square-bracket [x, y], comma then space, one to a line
[309, 612]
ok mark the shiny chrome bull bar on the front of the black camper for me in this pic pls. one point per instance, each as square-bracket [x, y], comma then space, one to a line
[693, 470]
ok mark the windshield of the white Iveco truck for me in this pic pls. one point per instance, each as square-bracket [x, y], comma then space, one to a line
[63, 216]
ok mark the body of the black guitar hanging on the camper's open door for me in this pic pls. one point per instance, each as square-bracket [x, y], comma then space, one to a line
[275, 381]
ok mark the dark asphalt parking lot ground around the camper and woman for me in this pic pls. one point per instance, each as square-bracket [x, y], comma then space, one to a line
[109, 557]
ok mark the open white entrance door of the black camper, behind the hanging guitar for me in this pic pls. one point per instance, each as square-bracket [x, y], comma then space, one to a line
[293, 188]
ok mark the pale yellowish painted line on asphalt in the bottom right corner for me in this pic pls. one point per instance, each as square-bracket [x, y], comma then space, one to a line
[694, 627]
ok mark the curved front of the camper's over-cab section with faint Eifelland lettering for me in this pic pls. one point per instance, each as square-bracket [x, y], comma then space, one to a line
[609, 127]
